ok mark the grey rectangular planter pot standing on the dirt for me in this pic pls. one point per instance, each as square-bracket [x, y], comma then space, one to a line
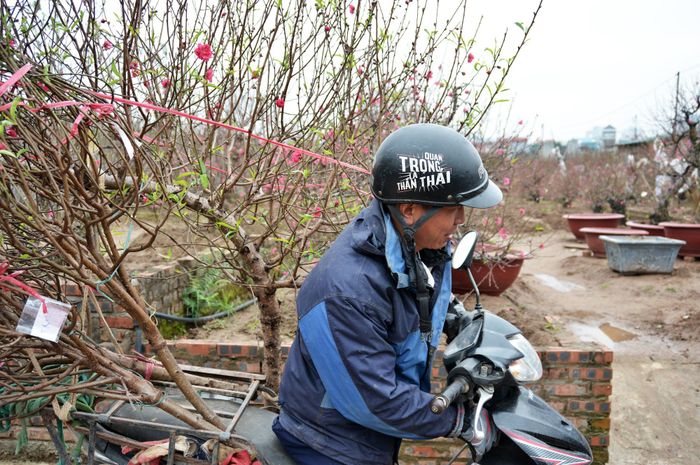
[641, 254]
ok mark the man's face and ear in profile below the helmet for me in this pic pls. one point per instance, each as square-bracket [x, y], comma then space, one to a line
[439, 229]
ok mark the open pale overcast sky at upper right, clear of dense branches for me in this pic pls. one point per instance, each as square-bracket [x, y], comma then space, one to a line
[597, 62]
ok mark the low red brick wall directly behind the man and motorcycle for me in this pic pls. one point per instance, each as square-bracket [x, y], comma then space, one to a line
[575, 382]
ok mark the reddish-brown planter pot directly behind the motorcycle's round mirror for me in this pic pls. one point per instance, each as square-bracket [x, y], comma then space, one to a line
[492, 277]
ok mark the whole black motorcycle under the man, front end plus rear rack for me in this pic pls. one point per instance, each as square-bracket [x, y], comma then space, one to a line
[487, 361]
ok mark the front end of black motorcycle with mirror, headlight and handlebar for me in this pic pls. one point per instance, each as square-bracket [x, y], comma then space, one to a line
[487, 362]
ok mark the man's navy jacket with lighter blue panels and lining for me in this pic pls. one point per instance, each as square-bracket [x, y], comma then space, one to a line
[358, 376]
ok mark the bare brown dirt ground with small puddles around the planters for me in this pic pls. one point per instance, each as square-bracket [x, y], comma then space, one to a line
[651, 322]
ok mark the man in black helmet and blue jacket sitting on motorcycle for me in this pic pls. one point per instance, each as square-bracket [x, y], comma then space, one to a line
[370, 313]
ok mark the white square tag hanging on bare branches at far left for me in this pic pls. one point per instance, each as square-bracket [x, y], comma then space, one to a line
[45, 325]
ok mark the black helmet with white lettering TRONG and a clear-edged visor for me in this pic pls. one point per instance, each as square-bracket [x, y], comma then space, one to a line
[431, 165]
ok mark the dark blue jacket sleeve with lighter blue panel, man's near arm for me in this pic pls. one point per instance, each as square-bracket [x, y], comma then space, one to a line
[348, 344]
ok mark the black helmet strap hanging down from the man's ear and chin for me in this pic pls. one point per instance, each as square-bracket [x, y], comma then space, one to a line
[416, 270]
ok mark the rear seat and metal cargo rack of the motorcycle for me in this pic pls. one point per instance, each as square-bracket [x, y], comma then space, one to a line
[119, 429]
